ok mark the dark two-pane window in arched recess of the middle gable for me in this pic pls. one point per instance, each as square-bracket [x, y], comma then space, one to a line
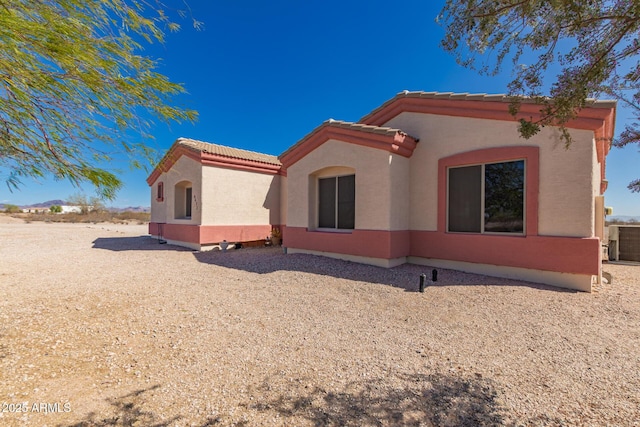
[336, 202]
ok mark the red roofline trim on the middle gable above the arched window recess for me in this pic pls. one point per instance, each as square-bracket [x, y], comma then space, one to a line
[397, 143]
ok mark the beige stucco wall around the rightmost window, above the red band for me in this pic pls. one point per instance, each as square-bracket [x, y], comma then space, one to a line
[567, 181]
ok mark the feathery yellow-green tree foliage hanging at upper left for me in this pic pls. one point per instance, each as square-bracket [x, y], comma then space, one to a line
[75, 88]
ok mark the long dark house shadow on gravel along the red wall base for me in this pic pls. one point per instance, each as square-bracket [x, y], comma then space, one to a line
[406, 276]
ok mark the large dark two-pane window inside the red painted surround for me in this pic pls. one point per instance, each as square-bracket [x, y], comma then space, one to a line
[487, 198]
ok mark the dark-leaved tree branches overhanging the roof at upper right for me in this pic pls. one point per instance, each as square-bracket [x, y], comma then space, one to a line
[594, 42]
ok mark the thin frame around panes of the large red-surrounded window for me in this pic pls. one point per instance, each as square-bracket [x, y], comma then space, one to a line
[483, 197]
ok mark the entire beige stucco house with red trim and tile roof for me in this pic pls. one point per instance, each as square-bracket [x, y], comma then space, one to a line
[428, 178]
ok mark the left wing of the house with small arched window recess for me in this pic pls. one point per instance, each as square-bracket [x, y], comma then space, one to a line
[205, 193]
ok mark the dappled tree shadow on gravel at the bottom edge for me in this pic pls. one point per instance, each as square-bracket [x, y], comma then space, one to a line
[432, 400]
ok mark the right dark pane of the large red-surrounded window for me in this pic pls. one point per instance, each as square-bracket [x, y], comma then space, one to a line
[504, 197]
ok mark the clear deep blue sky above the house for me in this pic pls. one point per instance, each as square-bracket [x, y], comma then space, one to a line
[264, 74]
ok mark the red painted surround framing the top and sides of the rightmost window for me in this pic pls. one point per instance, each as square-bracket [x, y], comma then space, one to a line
[488, 155]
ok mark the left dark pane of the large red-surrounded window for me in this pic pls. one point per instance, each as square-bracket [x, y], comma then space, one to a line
[465, 199]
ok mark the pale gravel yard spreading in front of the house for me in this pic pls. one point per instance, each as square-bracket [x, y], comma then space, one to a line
[102, 326]
